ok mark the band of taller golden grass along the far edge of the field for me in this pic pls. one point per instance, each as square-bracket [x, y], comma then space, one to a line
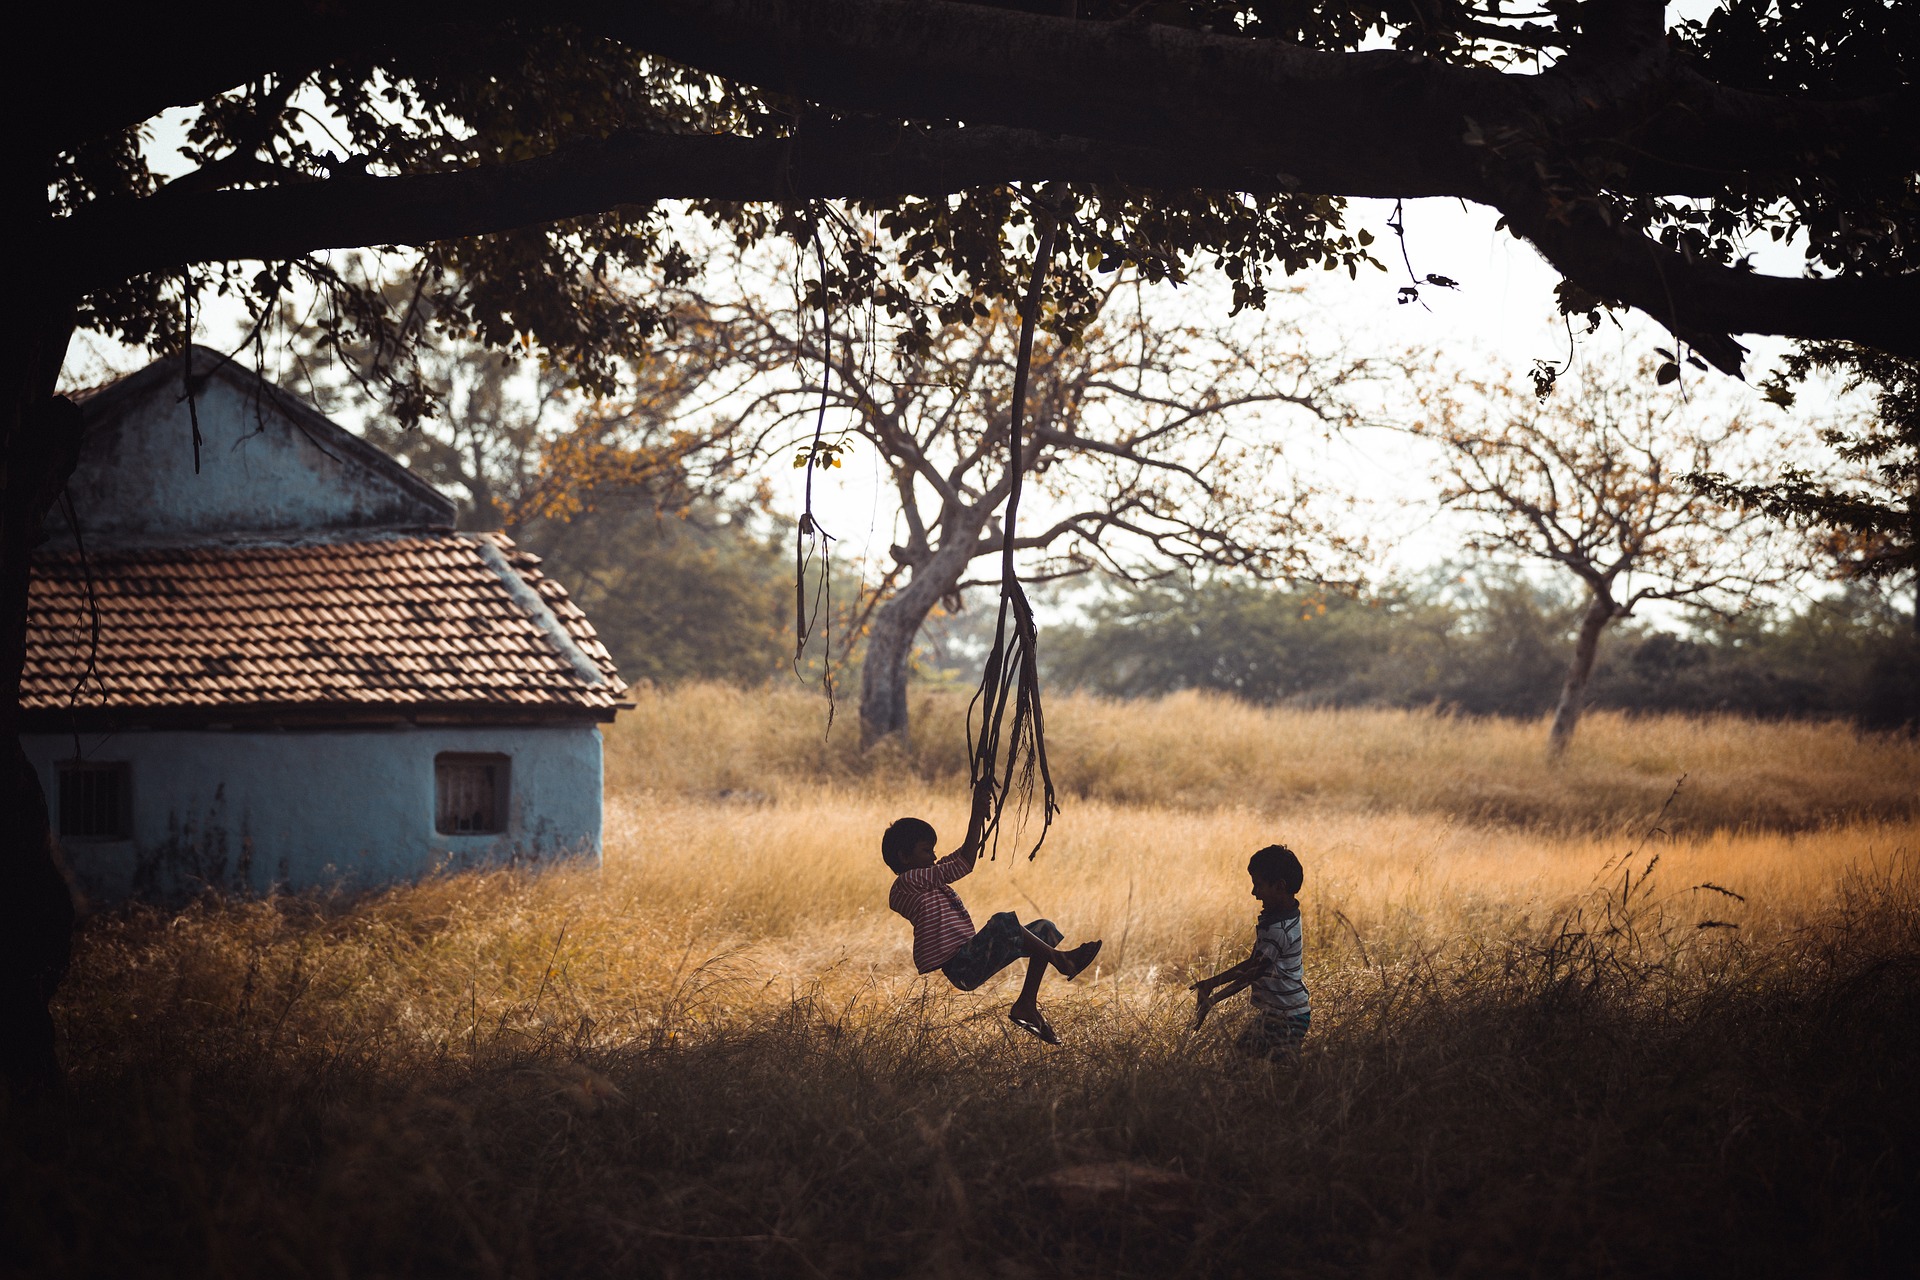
[1203, 751]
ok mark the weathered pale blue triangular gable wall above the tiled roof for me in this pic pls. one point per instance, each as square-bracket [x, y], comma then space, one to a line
[268, 465]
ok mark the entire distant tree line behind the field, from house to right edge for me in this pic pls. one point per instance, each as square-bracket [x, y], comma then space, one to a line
[700, 594]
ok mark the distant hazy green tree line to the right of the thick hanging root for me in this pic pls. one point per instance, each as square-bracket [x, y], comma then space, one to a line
[1491, 646]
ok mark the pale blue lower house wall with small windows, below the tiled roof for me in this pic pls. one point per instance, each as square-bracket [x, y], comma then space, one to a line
[260, 811]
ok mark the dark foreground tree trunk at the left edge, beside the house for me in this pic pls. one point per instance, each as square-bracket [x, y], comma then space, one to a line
[39, 448]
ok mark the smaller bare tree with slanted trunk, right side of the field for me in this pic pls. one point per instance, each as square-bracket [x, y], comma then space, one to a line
[1596, 485]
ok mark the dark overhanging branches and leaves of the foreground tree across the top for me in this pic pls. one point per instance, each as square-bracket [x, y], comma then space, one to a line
[529, 151]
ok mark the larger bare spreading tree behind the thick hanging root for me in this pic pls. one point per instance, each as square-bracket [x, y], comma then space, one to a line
[1153, 448]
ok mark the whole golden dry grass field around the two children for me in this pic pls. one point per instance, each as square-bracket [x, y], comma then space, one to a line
[1568, 1022]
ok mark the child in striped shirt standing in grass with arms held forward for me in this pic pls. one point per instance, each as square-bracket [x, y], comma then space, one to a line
[1274, 970]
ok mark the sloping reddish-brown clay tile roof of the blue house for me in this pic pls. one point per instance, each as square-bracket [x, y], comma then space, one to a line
[416, 625]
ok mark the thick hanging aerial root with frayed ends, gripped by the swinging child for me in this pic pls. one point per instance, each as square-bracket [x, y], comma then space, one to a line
[1013, 675]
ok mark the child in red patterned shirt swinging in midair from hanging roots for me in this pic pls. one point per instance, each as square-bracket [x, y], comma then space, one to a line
[944, 932]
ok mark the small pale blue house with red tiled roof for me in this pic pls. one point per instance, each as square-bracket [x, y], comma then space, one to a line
[262, 657]
